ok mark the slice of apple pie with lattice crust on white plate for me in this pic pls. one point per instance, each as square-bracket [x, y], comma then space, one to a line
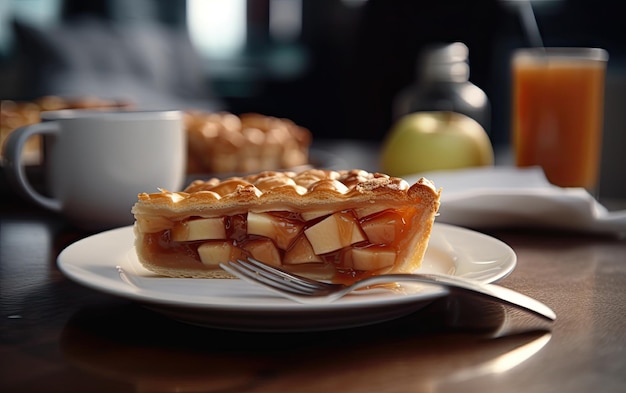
[334, 225]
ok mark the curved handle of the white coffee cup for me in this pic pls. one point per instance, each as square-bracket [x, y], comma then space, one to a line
[16, 173]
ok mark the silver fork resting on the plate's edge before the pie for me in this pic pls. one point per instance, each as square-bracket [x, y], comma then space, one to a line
[306, 290]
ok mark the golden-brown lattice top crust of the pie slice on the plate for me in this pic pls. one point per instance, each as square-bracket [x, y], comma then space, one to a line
[312, 189]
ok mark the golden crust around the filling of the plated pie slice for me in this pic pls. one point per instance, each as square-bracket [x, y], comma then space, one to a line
[310, 190]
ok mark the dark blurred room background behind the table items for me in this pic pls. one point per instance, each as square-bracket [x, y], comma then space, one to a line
[333, 66]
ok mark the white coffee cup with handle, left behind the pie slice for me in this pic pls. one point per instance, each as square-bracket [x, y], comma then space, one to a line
[96, 162]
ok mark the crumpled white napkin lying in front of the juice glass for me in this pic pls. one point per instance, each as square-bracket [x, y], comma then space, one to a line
[491, 197]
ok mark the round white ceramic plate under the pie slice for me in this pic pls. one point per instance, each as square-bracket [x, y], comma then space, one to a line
[235, 304]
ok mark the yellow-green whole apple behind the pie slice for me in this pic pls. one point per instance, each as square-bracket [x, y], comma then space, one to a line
[428, 141]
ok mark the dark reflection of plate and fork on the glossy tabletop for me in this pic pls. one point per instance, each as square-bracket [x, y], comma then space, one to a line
[132, 345]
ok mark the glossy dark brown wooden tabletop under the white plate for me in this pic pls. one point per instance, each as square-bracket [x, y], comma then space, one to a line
[59, 336]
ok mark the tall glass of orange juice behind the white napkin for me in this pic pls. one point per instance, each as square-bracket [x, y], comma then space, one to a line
[558, 111]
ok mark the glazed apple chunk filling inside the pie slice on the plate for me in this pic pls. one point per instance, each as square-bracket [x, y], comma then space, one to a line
[352, 245]
